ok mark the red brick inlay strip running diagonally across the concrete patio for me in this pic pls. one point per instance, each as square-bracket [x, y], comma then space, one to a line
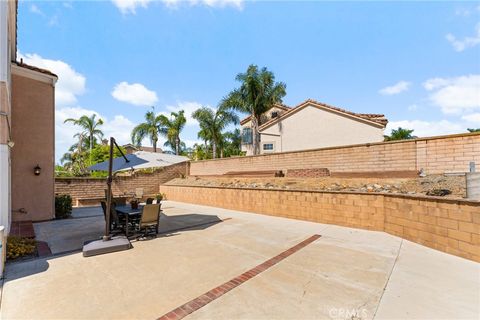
[206, 298]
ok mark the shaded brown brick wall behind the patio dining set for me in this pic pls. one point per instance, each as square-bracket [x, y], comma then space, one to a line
[90, 188]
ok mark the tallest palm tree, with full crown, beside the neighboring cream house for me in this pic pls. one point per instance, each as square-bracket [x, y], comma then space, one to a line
[258, 92]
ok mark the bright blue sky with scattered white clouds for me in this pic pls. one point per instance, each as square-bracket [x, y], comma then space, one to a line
[417, 63]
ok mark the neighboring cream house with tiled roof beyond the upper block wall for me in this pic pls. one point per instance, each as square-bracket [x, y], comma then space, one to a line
[312, 125]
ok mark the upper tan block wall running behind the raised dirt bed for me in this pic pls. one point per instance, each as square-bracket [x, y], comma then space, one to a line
[435, 155]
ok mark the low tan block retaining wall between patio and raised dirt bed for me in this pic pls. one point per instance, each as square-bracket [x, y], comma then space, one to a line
[452, 226]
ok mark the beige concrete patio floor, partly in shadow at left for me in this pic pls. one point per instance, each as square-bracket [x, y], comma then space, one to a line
[345, 274]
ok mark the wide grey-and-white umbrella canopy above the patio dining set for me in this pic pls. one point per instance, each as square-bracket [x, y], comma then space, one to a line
[139, 160]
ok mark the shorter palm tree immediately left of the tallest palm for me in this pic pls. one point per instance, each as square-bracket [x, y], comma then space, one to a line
[212, 123]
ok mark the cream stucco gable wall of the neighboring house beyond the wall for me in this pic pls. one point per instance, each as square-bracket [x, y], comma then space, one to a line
[312, 128]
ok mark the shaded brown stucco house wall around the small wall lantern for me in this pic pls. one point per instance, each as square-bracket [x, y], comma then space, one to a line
[33, 118]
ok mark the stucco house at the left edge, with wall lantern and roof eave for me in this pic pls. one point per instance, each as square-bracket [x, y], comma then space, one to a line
[27, 117]
